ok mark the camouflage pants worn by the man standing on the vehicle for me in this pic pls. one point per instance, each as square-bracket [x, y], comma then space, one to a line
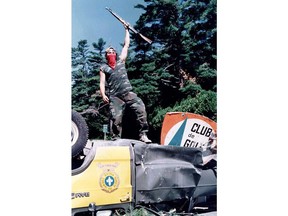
[117, 107]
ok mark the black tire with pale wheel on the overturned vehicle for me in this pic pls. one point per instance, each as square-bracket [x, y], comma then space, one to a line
[79, 133]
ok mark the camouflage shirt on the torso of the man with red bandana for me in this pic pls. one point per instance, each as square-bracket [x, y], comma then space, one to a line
[117, 81]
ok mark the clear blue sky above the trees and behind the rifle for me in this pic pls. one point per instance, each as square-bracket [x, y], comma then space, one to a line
[91, 21]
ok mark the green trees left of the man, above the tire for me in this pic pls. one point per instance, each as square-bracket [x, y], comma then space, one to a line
[85, 86]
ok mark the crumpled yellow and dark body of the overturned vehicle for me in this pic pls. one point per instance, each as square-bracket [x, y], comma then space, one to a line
[119, 177]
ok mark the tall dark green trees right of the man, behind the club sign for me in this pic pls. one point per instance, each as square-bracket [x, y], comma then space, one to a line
[182, 58]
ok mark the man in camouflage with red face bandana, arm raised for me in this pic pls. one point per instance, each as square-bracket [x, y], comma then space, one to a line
[114, 79]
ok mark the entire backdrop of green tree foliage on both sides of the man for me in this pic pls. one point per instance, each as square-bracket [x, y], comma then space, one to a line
[177, 72]
